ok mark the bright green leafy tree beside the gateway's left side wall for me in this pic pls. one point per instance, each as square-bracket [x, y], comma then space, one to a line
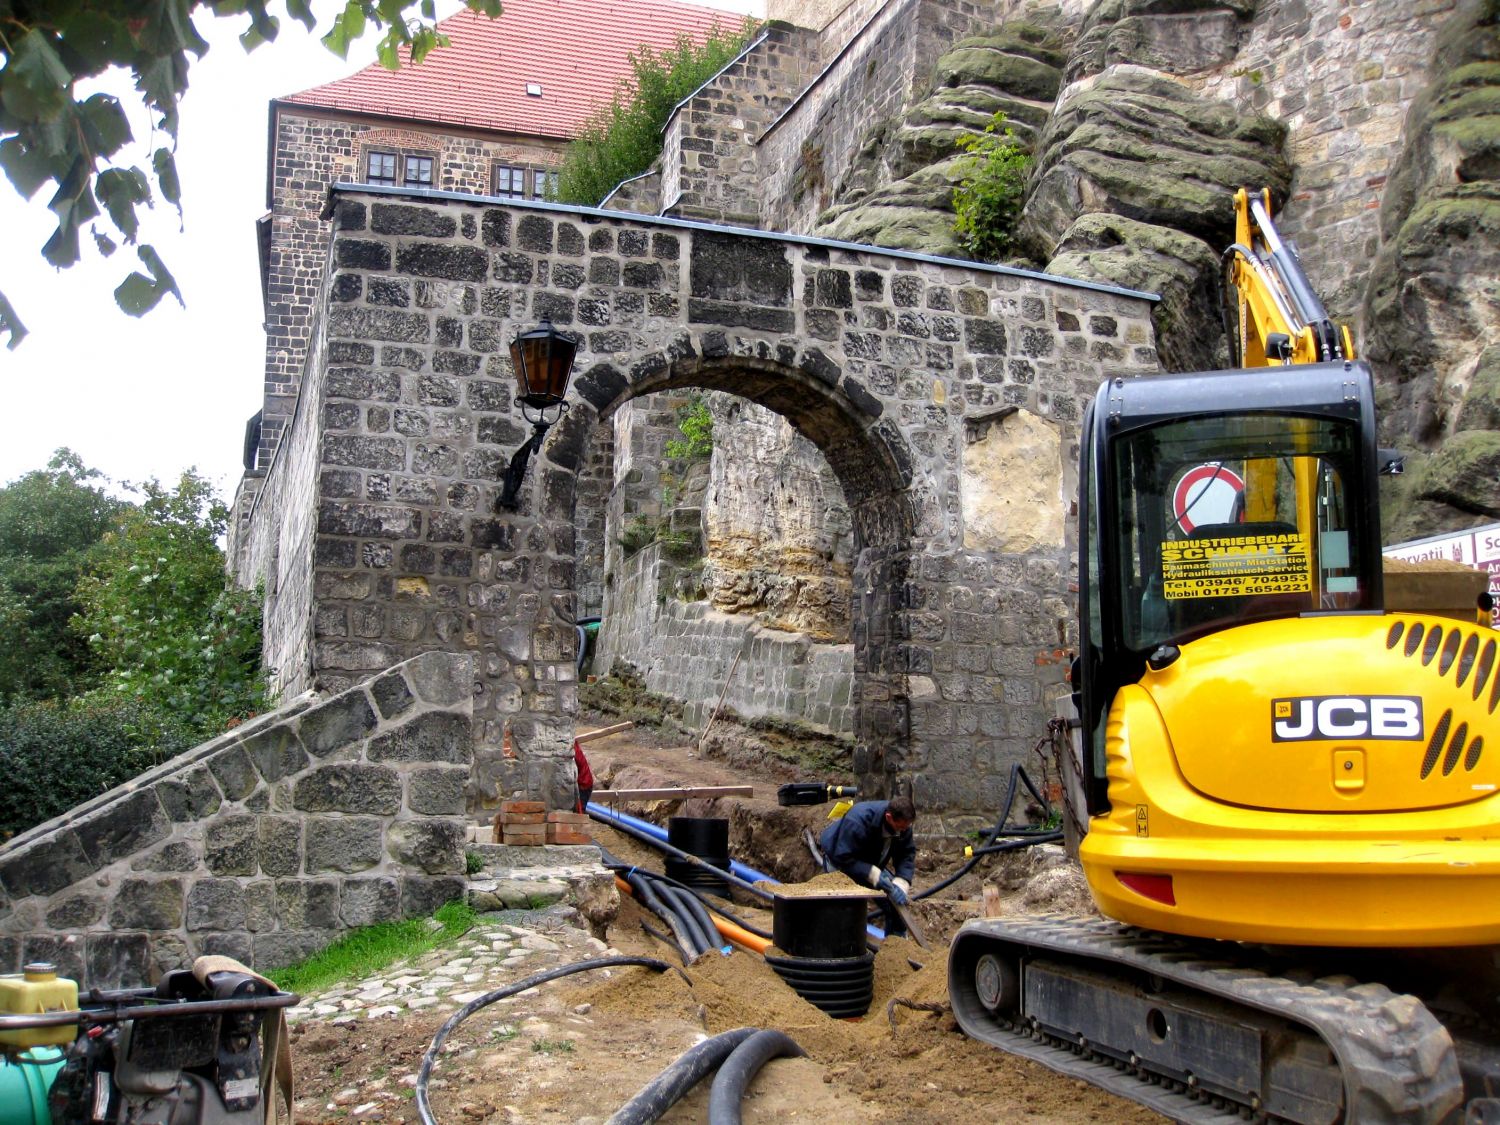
[160, 616]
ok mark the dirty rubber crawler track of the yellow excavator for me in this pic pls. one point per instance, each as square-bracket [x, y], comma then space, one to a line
[1186, 1030]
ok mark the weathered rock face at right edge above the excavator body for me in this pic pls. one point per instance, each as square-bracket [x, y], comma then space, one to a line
[1433, 307]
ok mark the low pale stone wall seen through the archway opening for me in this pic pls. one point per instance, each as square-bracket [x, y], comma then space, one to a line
[688, 650]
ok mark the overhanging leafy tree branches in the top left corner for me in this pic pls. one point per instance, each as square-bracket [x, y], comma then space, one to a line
[53, 137]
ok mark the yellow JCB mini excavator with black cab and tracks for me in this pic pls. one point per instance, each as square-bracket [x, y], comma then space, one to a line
[1286, 799]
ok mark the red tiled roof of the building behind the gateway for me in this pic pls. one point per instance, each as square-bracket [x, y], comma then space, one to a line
[574, 50]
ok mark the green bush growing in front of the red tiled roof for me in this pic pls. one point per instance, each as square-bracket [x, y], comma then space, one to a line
[625, 139]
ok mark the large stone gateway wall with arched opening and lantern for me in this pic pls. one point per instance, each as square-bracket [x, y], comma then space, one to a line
[944, 395]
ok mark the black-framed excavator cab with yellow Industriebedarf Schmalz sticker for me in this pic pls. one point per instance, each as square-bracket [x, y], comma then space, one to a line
[1217, 500]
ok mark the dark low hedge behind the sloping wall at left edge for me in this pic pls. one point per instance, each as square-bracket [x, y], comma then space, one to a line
[58, 755]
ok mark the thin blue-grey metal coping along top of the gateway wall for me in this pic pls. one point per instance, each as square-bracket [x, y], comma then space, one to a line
[437, 196]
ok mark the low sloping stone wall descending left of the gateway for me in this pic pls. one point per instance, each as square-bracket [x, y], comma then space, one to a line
[265, 844]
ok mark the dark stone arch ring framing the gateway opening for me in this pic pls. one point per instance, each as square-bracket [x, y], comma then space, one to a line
[872, 463]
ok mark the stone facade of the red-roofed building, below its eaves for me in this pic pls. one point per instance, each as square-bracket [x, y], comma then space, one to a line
[311, 151]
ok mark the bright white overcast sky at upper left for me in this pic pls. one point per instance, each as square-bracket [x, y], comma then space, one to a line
[152, 397]
